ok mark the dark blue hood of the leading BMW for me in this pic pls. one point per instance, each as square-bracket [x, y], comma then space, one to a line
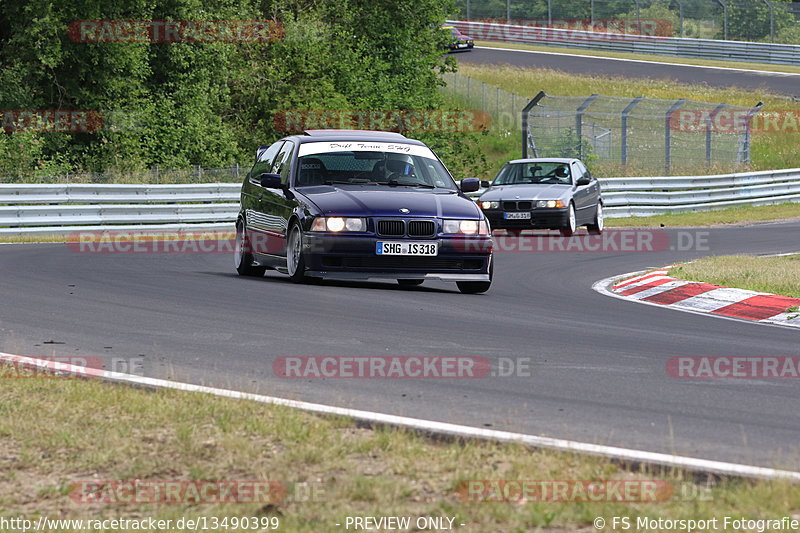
[380, 202]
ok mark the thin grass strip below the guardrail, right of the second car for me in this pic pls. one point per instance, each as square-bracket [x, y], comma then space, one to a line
[735, 215]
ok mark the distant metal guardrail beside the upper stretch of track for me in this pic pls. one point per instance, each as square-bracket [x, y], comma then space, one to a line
[780, 54]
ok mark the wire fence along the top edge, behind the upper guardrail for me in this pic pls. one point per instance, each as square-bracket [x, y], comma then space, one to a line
[742, 20]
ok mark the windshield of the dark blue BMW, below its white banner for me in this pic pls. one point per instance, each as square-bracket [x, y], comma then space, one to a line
[374, 168]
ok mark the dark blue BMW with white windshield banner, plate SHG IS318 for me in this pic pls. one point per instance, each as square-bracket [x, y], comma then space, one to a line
[350, 204]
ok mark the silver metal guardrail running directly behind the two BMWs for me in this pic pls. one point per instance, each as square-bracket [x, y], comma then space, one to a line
[63, 209]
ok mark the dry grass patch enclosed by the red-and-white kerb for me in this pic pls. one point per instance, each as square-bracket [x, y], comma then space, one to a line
[777, 275]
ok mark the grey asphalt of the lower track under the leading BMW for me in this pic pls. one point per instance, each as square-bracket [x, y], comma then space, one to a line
[597, 363]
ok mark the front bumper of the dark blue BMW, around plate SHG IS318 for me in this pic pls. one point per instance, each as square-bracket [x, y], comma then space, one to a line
[353, 257]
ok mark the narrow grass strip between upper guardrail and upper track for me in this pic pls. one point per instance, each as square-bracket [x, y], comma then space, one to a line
[644, 57]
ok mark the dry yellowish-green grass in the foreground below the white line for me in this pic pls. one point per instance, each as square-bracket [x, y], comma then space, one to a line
[86, 430]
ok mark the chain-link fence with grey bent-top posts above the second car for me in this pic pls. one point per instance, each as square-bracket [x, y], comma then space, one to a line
[653, 136]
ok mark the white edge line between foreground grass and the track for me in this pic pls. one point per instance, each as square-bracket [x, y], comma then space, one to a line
[448, 429]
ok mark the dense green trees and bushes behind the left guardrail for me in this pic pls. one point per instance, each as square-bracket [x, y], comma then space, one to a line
[209, 103]
